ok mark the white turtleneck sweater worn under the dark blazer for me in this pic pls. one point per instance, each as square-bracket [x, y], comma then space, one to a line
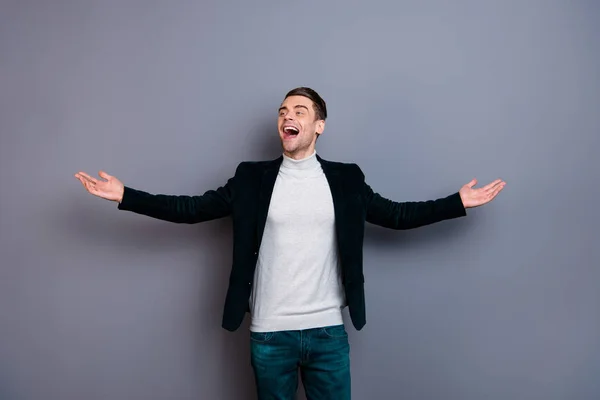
[297, 282]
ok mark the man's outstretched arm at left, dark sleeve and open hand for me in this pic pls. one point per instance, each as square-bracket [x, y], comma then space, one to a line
[211, 205]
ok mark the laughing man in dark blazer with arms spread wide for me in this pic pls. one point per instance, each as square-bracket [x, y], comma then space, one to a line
[298, 224]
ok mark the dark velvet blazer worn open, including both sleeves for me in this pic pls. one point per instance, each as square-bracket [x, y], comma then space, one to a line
[245, 198]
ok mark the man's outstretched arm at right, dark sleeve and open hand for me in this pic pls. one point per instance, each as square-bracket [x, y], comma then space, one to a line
[413, 214]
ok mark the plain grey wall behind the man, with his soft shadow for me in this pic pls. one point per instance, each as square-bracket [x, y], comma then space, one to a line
[170, 95]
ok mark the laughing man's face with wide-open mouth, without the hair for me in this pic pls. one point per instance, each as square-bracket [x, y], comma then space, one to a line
[298, 126]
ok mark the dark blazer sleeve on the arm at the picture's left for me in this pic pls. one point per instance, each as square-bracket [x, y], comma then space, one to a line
[211, 205]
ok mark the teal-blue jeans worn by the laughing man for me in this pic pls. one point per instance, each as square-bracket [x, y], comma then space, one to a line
[321, 354]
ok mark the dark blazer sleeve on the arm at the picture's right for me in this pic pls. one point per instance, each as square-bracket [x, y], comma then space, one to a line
[411, 214]
